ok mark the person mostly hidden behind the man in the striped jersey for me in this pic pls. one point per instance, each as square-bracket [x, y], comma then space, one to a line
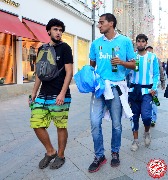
[162, 80]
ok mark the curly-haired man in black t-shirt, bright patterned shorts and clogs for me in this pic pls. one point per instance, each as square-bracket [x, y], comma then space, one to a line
[53, 100]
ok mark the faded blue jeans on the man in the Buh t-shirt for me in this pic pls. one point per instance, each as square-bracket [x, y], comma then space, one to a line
[96, 114]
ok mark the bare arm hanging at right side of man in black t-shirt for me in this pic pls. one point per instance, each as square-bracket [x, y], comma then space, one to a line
[67, 80]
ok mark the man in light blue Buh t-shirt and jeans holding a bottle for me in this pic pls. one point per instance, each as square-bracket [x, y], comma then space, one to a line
[101, 59]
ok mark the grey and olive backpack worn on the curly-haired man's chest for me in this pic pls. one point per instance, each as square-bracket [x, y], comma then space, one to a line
[46, 65]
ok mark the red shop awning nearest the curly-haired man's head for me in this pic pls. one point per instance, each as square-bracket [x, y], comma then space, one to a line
[38, 30]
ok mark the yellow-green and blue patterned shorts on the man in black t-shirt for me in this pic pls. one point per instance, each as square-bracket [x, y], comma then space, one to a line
[44, 110]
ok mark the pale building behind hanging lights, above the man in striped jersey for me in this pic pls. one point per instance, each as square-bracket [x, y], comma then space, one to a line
[134, 17]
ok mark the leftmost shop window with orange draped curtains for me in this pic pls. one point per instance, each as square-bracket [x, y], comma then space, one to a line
[7, 74]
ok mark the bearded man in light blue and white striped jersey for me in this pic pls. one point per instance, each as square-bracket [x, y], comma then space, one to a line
[144, 83]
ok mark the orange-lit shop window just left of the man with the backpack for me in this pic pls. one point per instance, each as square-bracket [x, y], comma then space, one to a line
[29, 54]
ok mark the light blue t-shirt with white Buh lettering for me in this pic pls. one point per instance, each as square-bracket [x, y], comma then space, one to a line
[101, 52]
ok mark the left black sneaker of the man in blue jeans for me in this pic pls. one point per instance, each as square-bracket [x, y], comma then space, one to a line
[95, 166]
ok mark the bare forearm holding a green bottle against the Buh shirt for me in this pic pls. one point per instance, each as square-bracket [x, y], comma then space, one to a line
[128, 65]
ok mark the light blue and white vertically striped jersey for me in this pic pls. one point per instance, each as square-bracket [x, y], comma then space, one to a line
[148, 72]
